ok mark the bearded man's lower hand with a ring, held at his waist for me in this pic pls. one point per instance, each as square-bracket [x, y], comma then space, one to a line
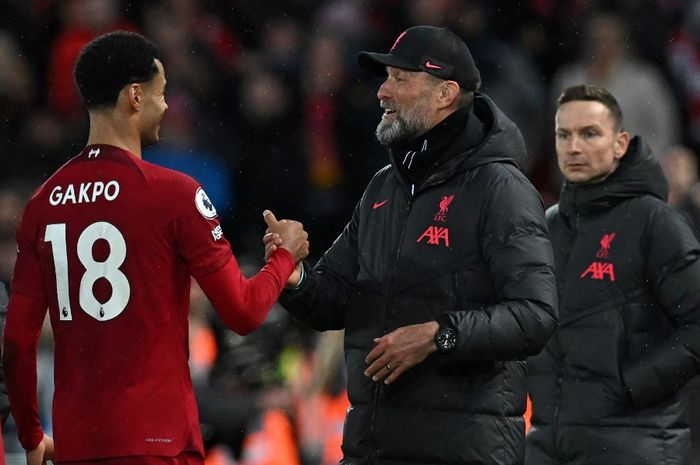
[396, 352]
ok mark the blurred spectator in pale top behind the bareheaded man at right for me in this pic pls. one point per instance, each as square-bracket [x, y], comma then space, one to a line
[646, 100]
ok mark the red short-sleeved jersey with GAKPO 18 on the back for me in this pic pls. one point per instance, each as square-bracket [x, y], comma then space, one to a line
[110, 242]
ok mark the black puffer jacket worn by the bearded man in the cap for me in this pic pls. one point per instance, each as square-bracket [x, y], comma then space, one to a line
[470, 245]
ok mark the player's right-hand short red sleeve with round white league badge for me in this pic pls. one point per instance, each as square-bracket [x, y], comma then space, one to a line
[199, 236]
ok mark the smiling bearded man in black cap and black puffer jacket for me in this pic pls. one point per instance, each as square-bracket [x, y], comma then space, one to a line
[443, 279]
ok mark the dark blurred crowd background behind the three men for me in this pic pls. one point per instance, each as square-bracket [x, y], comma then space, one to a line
[268, 109]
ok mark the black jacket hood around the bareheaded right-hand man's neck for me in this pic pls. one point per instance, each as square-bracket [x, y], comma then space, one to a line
[639, 174]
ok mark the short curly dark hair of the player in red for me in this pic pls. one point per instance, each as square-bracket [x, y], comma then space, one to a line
[111, 61]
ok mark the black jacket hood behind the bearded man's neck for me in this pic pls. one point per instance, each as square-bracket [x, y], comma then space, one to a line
[489, 137]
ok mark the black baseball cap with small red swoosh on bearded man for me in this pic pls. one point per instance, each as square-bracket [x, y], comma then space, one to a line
[435, 50]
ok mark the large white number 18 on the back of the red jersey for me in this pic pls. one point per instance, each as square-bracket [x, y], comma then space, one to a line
[94, 270]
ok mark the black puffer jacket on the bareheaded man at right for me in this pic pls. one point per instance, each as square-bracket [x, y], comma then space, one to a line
[605, 389]
